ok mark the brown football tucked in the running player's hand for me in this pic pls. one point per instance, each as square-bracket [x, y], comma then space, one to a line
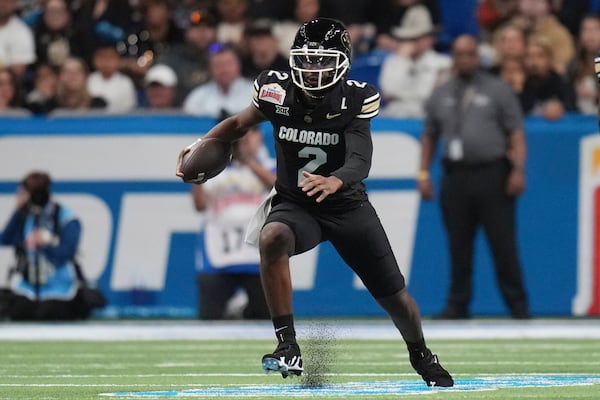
[206, 159]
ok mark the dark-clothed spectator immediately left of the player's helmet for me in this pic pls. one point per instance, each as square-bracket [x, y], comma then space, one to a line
[263, 51]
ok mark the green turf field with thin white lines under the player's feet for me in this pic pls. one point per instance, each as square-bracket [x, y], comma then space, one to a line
[84, 370]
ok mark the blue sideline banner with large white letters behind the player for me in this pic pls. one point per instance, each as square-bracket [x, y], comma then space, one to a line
[140, 228]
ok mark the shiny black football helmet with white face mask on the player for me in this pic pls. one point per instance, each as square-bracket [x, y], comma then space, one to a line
[321, 54]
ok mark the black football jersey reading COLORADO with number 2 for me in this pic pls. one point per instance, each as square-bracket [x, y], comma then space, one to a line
[331, 138]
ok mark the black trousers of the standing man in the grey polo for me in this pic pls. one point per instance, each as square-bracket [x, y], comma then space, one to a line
[473, 196]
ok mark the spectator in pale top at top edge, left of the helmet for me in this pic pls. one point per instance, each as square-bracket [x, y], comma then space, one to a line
[233, 19]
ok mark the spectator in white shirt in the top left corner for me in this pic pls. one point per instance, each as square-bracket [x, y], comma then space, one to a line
[17, 46]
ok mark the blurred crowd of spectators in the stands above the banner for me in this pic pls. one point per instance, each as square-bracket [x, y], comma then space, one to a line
[119, 56]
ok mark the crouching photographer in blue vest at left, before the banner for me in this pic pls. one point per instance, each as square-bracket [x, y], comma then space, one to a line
[46, 282]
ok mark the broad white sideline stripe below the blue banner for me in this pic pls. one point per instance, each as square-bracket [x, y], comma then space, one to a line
[359, 329]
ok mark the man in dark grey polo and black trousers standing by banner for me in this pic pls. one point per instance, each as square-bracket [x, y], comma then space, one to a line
[480, 123]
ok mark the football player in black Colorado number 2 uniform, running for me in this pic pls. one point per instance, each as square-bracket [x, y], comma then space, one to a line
[323, 145]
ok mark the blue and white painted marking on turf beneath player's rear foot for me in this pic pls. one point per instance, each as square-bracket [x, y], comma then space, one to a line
[372, 388]
